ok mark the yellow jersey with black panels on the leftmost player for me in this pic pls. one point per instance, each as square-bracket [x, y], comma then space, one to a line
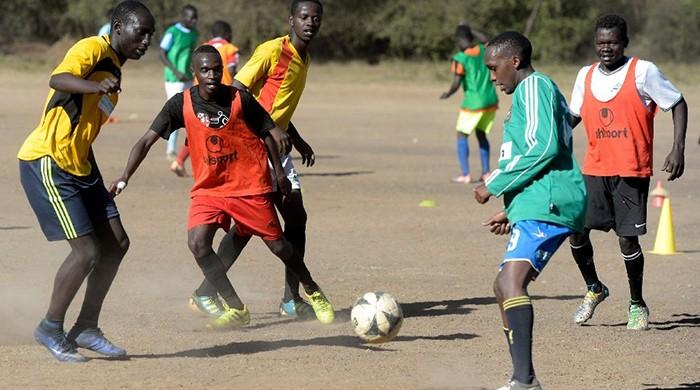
[70, 122]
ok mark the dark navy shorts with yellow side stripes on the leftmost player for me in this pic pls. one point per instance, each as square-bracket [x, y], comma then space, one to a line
[67, 206]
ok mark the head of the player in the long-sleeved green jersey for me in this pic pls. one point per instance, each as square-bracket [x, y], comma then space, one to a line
[506, 55]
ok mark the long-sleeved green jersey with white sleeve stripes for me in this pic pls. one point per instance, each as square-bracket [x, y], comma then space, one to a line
[537, 173]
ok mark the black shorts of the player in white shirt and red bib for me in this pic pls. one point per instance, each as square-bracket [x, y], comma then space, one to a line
[618, 203]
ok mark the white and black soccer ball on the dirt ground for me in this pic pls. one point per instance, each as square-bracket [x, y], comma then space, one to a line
[376, 317]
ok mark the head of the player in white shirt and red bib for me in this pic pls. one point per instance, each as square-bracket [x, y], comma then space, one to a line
[610, 39]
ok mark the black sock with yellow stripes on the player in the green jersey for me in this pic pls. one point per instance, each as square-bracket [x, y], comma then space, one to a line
[520, 320]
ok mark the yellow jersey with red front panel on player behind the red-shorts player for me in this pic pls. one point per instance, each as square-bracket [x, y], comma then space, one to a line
[276, 75]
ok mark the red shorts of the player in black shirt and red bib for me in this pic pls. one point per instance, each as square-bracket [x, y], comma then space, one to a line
[253, 215]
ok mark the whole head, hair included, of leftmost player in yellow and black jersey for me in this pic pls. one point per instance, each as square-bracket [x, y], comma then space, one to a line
[132, 29]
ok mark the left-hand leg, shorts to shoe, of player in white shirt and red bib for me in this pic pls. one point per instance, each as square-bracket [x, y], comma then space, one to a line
[600, 215]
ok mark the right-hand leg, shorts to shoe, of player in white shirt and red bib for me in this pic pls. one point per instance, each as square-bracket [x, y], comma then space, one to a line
[630, 201]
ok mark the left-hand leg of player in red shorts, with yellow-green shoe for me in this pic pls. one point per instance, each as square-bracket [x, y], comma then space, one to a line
[199, 240]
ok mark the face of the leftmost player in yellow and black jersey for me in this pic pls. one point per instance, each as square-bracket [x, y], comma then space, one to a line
[134, 36]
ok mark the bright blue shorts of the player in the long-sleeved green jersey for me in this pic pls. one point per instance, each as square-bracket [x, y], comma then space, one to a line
[535, 242]
